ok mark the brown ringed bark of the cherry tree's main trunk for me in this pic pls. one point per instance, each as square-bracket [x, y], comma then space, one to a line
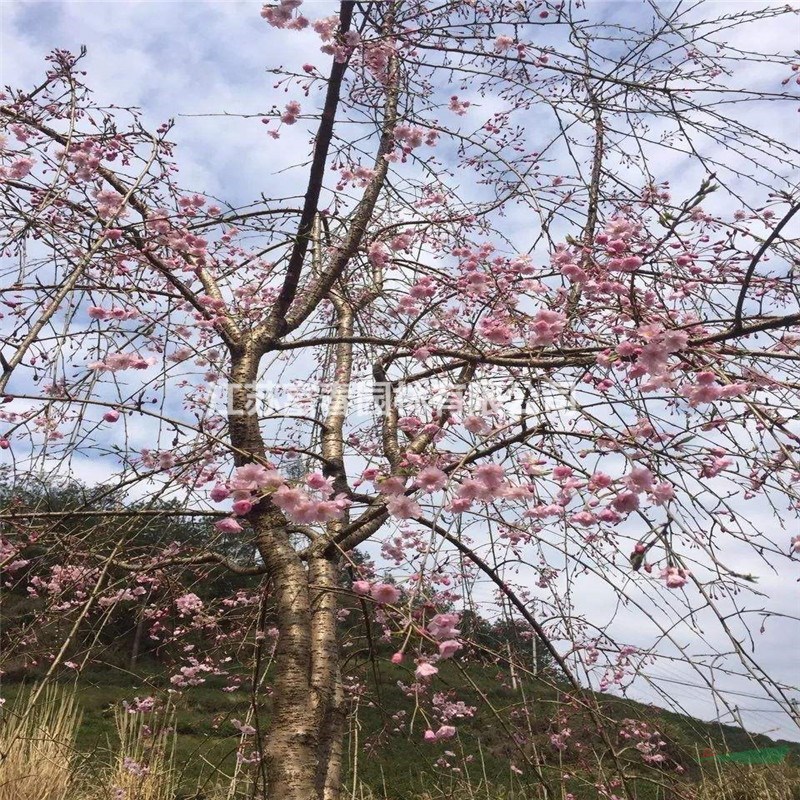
[303, 746]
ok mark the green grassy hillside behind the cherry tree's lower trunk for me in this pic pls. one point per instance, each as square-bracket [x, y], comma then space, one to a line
[386, 755]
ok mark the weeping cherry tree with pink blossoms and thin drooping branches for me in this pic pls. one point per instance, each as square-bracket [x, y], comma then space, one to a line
[486, 343]
